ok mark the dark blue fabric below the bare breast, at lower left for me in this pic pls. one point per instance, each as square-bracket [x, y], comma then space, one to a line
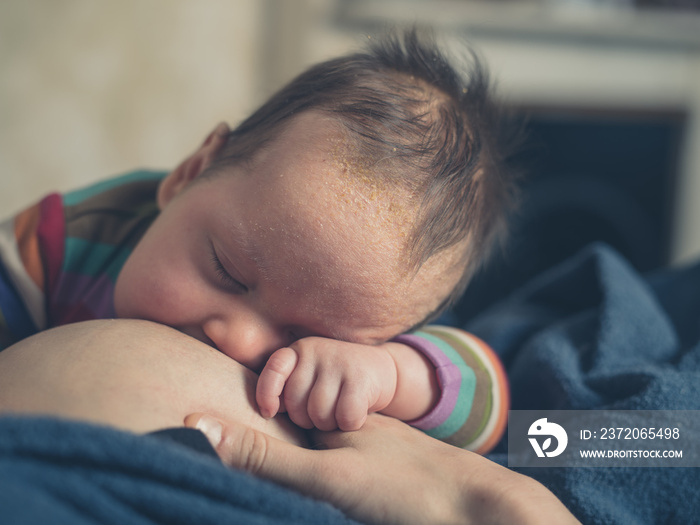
[70, 473]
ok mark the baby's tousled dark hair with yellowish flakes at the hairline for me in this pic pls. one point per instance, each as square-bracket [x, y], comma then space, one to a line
[436, 128]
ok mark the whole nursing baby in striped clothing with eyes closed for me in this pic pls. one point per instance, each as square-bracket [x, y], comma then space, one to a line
[312, 244]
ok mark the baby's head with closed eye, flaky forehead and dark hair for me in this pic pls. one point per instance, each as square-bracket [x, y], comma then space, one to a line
[355, 204]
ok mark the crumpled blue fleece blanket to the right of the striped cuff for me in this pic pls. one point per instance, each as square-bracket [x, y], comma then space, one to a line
[594, 334]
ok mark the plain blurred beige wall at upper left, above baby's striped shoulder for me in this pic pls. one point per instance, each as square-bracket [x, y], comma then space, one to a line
[91, 88]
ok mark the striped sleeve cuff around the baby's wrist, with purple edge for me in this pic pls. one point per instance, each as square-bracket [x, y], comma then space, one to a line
[472, 410]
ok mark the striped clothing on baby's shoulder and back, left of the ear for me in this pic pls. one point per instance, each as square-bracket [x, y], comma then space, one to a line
[59, 259]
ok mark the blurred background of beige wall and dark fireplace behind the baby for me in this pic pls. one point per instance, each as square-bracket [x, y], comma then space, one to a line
[610, 89]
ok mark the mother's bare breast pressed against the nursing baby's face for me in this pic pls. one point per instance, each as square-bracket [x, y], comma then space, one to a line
[133, 375]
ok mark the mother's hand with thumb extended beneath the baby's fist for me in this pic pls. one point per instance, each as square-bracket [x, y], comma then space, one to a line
[388, 472]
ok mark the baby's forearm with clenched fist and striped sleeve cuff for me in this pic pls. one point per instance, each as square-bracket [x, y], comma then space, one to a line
[442, 380]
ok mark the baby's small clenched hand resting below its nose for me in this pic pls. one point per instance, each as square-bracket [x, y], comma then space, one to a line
[327, 384]
